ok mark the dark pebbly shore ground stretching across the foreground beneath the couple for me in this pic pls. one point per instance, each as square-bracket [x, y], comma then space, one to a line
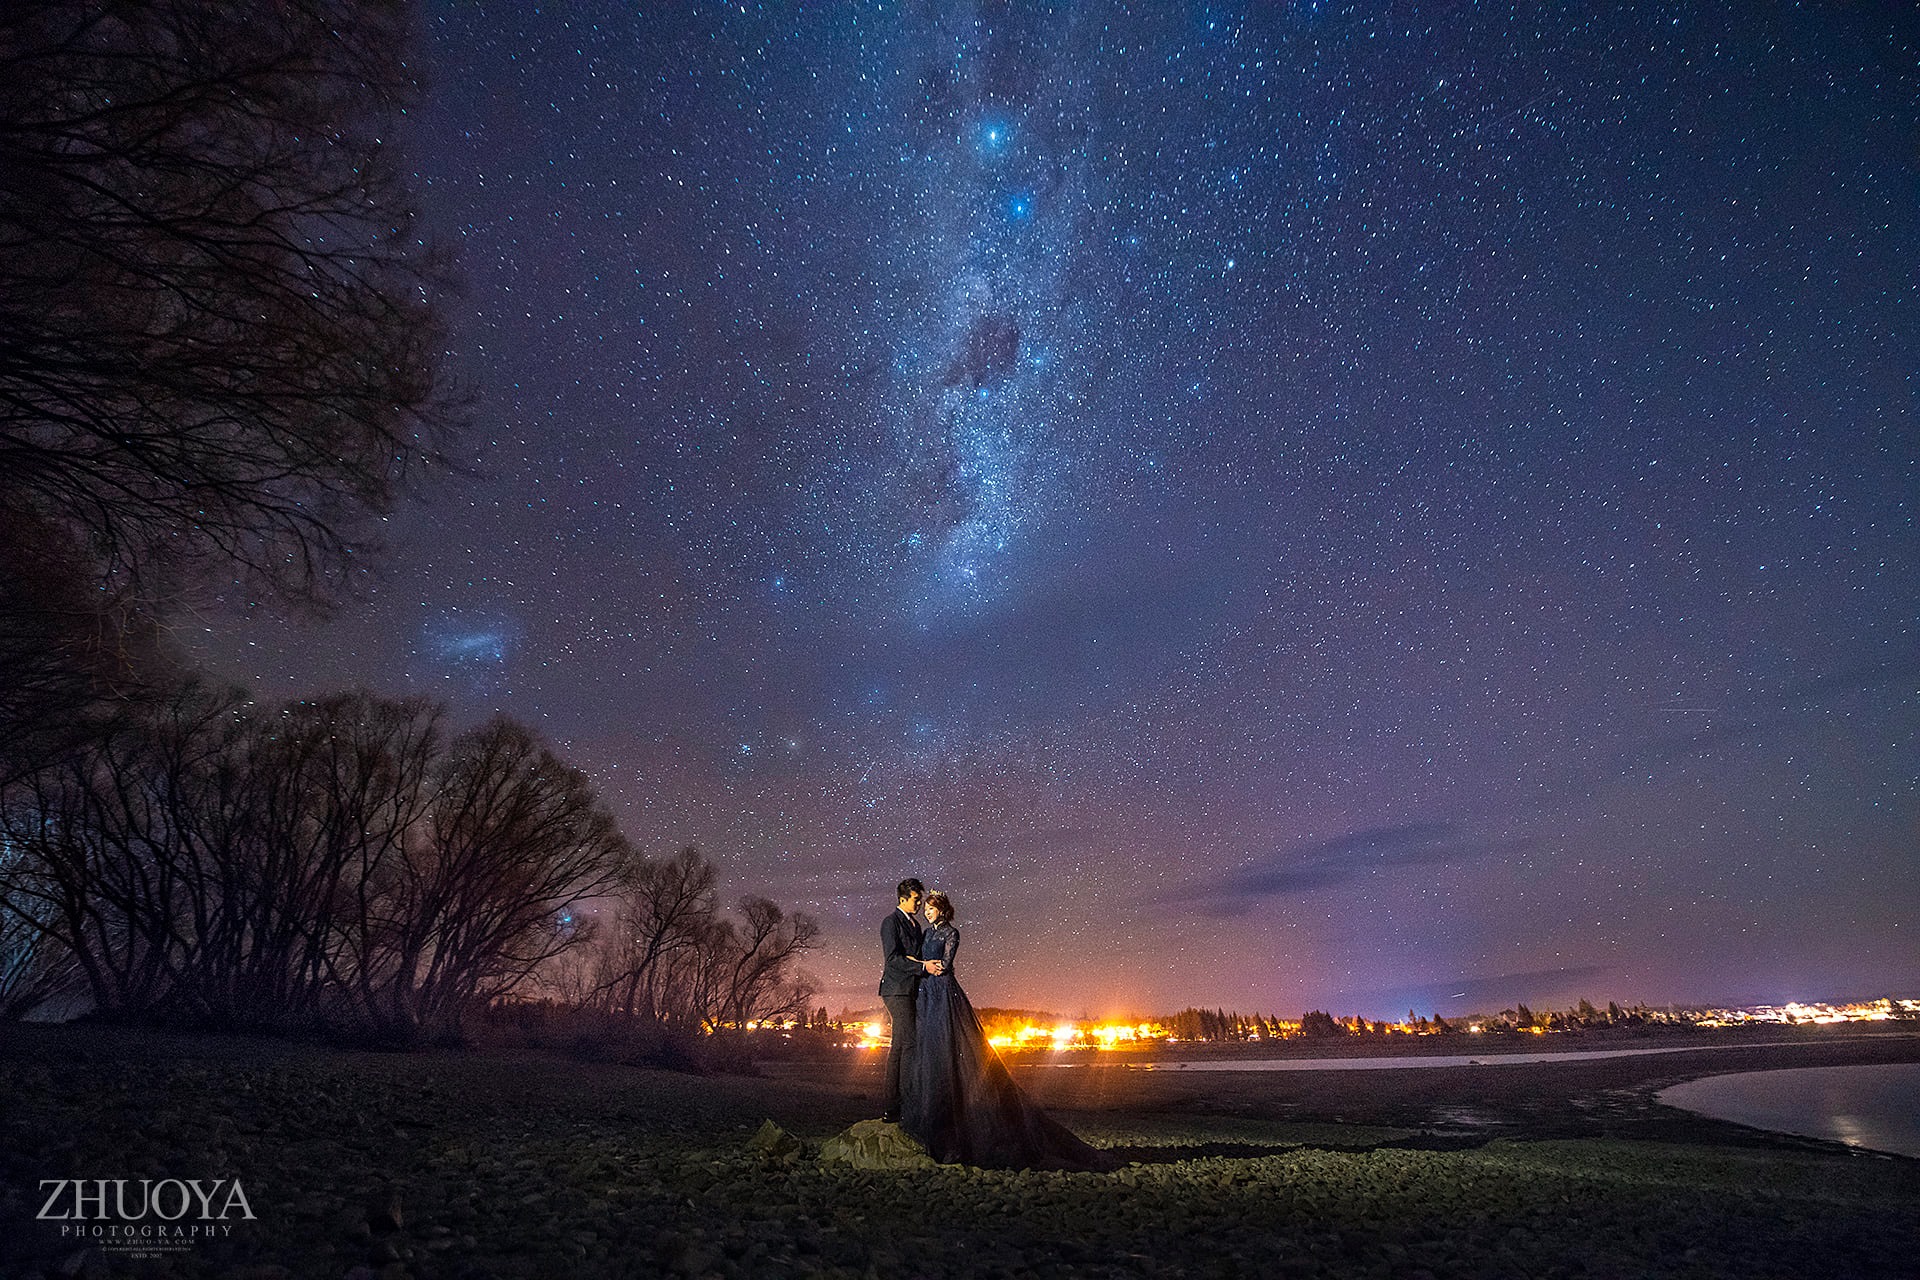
[525, 1166]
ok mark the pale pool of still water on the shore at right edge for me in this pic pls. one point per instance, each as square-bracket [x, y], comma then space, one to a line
[1875, 1108]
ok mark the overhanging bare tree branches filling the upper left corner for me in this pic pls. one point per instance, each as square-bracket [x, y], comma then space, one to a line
[218, 327]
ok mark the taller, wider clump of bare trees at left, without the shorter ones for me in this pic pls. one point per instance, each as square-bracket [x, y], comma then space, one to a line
[331, 863]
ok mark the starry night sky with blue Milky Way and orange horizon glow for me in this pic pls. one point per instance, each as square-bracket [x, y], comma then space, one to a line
[1274, 506]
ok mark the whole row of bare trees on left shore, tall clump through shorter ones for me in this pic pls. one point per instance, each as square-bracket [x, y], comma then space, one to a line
[356, 865]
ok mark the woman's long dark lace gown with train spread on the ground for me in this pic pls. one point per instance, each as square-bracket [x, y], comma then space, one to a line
[959, 1097]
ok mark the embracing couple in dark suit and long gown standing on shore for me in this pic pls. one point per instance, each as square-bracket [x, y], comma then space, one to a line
[946, 1085]
